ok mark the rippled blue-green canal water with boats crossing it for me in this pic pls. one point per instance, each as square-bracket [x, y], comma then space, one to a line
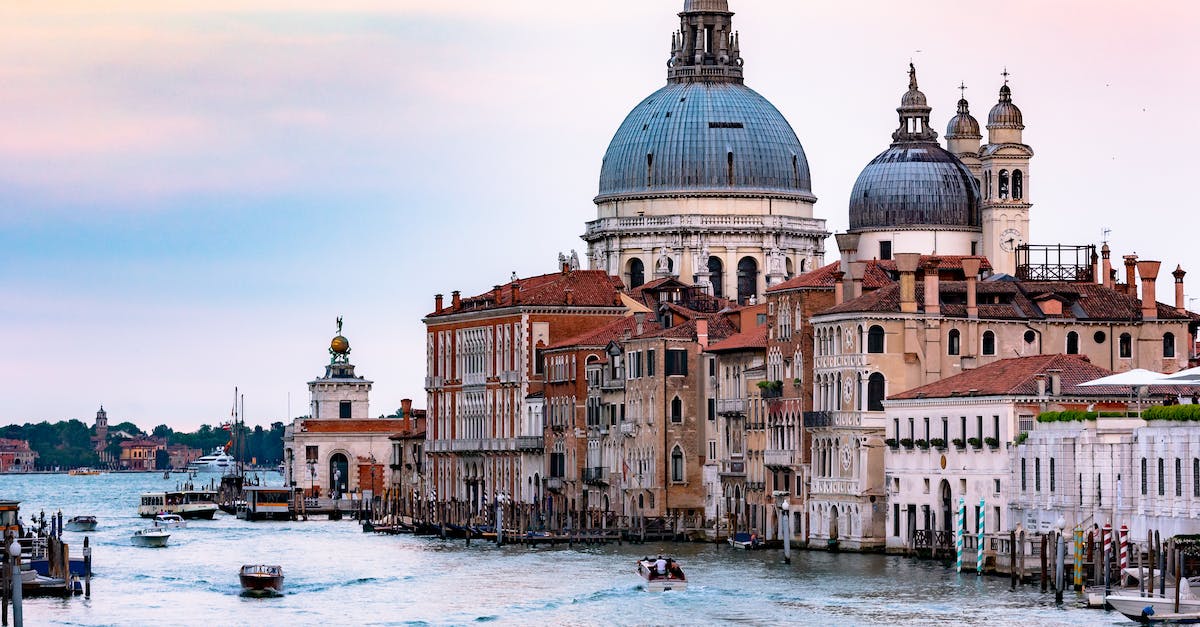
[339, 576]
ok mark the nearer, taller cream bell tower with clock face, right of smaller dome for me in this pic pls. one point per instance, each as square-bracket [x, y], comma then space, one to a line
[1005, 163]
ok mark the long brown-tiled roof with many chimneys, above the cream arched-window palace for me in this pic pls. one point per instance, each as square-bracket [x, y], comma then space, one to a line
[1013, 300]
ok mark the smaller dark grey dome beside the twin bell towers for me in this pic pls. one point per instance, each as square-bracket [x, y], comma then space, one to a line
[915, 184]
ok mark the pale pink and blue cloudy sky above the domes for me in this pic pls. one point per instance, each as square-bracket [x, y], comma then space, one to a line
[191, 193]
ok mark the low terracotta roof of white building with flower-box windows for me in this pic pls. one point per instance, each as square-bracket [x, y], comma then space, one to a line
[1019, 377]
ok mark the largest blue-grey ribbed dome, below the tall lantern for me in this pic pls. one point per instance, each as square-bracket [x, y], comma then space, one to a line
[704, 139]
